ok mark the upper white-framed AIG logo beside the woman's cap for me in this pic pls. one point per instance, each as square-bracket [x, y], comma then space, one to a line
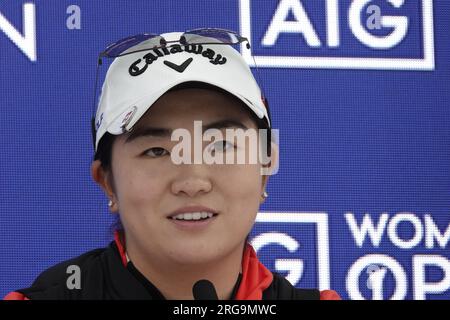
[343, 34]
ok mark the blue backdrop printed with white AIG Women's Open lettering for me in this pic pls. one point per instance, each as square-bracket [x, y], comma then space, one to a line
[359, 91]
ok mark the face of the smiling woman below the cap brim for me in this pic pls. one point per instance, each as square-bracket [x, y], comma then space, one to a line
[149, 188]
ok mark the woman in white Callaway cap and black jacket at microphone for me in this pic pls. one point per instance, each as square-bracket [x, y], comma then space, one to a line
[184, 217]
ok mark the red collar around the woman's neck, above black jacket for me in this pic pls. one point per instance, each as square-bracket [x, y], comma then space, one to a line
[255, 276]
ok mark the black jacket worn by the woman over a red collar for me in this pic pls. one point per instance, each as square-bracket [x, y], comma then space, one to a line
[104, 277]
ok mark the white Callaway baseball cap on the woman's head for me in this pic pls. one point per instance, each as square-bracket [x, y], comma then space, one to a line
[135, 81]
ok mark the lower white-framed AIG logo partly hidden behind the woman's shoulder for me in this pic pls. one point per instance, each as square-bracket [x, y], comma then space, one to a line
[268, 241]
